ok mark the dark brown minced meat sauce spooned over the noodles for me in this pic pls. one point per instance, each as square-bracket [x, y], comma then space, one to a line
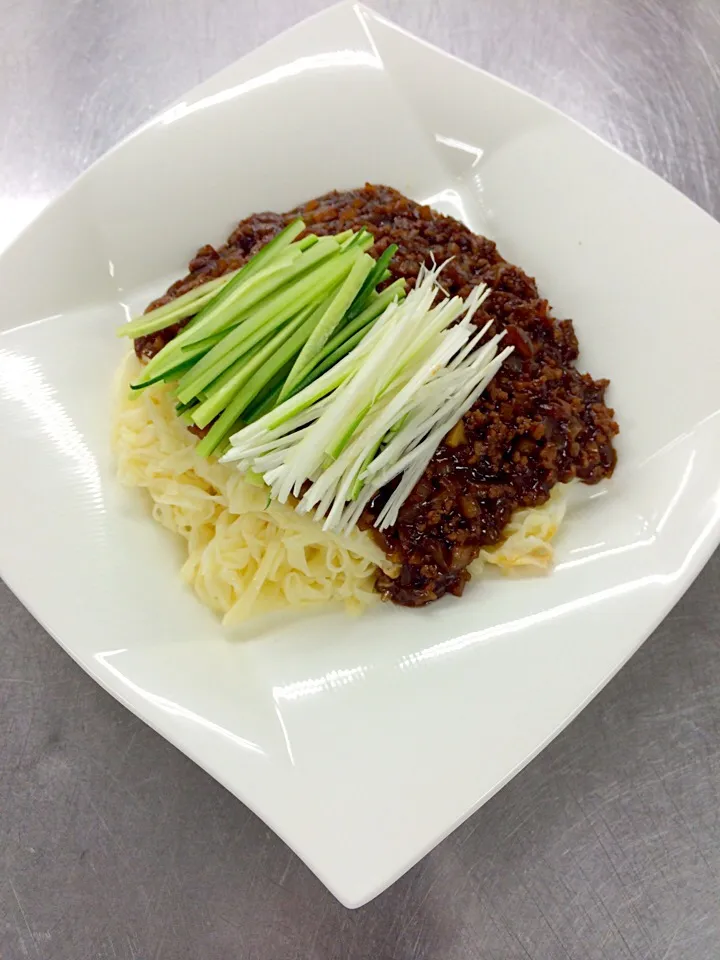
[540, 421]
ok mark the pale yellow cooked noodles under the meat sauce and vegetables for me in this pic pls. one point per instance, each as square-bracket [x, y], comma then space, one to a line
[247, 556]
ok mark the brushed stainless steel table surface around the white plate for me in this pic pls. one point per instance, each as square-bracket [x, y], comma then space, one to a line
[112, 844]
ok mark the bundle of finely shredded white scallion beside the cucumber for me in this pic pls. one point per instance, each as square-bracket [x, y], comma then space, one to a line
[380, 414]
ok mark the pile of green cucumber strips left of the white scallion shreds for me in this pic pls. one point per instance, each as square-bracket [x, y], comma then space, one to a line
[281, 333]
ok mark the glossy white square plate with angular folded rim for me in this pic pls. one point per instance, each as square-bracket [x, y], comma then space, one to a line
[362, 742]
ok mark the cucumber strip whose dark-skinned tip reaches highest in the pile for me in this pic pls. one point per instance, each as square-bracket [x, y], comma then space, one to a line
[220, 310]
